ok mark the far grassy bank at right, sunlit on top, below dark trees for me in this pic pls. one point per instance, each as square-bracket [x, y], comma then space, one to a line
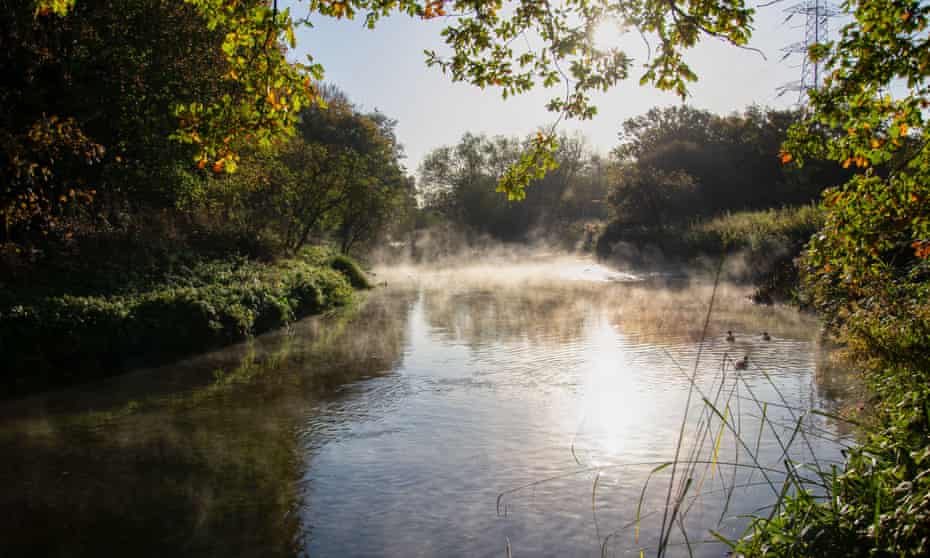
[763, 245]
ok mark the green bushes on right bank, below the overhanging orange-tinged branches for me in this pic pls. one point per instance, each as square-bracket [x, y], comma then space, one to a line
[867, 273]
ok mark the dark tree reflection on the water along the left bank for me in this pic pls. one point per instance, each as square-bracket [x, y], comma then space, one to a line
[210, 469]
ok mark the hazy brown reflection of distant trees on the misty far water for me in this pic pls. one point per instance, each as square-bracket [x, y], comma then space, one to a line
[654, 313]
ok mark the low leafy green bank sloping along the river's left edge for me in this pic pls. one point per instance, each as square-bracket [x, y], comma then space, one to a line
[52, 336]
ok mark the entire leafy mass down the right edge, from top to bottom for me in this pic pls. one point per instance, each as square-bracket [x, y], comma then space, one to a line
[866, 271]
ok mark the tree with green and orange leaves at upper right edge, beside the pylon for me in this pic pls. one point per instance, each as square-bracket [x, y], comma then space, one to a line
[868, 268]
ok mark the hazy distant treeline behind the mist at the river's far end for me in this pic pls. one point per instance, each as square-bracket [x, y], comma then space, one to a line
[671, 168]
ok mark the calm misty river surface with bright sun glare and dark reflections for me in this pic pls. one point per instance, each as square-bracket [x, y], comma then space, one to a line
[478, 410]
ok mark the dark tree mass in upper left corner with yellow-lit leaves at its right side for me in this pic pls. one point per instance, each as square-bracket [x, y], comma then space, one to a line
[151, 87]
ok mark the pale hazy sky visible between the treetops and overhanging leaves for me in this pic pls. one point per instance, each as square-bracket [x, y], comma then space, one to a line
[384, 68]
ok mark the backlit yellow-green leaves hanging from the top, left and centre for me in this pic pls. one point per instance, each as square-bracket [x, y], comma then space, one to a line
[268, 91]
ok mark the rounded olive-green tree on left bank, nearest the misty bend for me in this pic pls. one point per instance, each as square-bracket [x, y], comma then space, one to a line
[341, 178]
